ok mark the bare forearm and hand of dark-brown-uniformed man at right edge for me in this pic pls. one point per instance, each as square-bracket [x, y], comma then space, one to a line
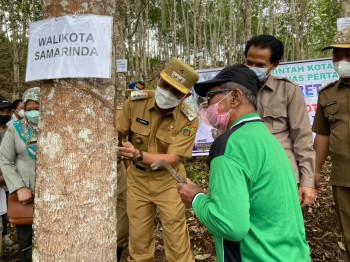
[321, 146]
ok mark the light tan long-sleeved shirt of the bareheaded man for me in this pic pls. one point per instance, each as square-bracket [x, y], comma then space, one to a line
[282, 107]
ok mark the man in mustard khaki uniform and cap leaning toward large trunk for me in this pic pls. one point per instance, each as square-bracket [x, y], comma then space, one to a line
[161, 126]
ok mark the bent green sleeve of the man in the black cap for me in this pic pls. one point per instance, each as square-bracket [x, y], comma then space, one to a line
[225, 210]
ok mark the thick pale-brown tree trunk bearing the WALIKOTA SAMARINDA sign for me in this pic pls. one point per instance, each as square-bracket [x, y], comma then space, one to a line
[75, 196]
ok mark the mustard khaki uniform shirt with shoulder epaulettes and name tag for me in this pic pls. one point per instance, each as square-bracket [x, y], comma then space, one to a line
[172, 133]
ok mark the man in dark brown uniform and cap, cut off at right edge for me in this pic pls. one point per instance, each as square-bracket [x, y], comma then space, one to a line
[332, 128]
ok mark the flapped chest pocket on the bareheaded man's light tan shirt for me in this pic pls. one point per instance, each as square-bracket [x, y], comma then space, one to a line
[276, 119]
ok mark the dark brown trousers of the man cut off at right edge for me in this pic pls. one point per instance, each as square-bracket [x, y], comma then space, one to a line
[341, 197]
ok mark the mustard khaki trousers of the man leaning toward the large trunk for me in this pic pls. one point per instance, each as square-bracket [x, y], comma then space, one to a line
[146, 192]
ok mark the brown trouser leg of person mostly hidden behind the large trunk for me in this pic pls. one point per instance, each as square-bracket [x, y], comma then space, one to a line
[122, 218]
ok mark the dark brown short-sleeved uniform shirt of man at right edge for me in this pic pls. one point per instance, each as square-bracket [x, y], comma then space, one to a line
[332, 119]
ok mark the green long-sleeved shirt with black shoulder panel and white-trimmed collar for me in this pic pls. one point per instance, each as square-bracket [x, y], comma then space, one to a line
[252, 208]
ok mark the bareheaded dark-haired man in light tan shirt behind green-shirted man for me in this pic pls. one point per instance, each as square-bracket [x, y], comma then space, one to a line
[283, 109]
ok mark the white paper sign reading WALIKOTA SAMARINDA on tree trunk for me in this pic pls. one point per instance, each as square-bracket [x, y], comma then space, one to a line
[70, 47]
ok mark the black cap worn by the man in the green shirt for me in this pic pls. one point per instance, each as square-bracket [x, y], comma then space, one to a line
[240, 74]
